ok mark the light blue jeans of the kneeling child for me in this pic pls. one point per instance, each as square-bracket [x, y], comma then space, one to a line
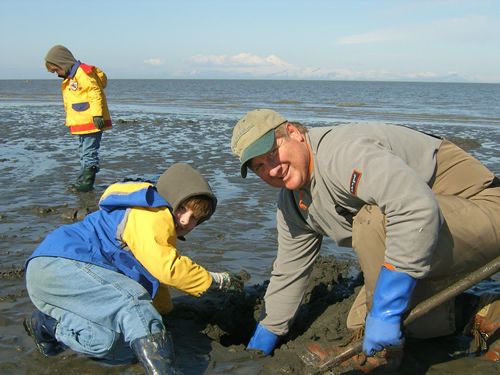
[99, 311]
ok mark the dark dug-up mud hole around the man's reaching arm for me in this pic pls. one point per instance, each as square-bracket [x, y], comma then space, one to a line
[228, 321]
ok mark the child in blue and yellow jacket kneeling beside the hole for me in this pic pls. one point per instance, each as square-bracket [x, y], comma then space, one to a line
[100, 285]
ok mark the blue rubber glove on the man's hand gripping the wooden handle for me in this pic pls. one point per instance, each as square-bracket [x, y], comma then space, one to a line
[390, 300]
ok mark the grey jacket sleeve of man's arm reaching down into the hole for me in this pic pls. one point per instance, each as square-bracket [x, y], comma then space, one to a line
[297, 250]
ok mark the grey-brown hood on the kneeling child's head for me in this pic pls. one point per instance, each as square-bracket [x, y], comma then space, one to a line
[180, 182]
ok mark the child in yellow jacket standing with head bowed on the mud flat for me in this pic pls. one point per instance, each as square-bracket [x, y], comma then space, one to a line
[87, 113]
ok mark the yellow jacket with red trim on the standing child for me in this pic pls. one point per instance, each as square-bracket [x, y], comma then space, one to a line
[84, 98]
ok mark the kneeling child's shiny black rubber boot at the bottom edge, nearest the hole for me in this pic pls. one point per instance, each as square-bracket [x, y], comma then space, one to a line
[156, 354]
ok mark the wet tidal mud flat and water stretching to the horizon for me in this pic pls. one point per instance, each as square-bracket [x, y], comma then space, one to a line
[161, 122]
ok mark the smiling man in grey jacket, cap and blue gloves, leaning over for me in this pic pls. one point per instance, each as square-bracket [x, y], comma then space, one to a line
[418, 211]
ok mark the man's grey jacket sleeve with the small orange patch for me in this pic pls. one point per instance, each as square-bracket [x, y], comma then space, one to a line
[413, 218]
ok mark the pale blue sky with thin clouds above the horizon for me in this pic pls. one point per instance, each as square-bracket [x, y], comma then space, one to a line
[376, 40]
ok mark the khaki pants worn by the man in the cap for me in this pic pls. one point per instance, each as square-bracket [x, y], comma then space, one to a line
[469, 238]
